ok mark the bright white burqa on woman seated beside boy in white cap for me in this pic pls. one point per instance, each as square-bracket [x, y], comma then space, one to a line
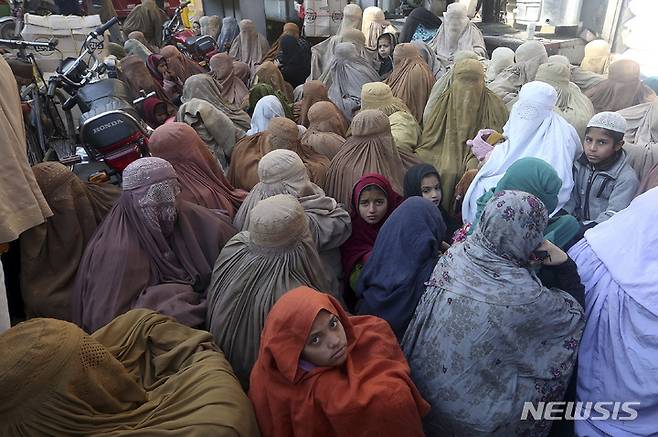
[533, 130]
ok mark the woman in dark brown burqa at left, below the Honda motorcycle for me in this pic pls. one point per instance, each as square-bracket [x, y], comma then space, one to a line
[51, 252]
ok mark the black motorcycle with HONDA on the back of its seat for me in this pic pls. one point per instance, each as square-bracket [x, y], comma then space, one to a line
[110, 129]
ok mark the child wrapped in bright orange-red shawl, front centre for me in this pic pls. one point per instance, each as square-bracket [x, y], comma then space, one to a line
[323, 373]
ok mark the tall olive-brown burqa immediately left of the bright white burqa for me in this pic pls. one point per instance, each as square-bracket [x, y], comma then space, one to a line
[462, 110]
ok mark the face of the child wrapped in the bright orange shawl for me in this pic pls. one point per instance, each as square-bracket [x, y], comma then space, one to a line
[326, 345]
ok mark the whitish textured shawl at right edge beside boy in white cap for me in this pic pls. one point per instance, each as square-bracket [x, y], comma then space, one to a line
[641, 137]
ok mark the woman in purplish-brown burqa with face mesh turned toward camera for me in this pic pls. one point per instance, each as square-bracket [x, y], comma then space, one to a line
[153, 250]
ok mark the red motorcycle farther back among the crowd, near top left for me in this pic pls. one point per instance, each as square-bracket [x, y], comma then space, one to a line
[197, 48]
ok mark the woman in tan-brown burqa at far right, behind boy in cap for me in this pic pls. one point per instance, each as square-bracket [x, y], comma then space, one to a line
[622, 89]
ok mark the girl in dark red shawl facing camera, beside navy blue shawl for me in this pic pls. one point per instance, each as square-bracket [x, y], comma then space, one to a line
[373, 200]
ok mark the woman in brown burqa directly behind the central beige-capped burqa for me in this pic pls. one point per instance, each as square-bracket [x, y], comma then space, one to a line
[281, 133]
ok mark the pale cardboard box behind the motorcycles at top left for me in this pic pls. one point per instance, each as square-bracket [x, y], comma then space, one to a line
[70, 30]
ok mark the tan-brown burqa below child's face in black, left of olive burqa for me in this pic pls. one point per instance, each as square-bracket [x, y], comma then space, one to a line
[411, 79]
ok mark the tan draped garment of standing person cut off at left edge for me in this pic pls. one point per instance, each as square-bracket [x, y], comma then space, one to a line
[23, 205]
